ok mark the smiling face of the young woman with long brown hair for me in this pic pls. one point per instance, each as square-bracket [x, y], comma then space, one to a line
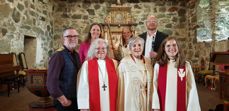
[171, 49]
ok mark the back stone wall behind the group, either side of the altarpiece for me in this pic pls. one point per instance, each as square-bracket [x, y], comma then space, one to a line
[171, 16]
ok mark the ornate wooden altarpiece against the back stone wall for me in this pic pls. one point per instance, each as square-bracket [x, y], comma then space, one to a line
[119, 16]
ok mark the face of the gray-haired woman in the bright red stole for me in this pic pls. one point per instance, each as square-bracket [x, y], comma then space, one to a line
[101, 50]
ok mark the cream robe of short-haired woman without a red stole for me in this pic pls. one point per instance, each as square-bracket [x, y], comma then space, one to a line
[135, 79]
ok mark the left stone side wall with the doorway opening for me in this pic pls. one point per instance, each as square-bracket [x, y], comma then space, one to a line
[26, 17]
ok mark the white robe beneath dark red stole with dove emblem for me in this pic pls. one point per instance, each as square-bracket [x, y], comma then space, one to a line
[171, 89]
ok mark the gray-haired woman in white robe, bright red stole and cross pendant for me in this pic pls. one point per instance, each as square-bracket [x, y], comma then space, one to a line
[97, 81]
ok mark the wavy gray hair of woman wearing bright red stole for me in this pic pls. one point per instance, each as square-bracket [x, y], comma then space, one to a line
[93, 47]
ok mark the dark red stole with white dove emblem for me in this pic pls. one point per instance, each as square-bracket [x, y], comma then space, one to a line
[181, 89]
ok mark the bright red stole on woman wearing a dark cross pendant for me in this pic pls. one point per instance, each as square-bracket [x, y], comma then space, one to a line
[93, 78]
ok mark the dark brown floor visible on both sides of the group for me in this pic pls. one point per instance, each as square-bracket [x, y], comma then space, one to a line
[19, 101]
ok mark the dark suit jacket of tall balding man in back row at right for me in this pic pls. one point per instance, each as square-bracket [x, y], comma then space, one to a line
[160, 36]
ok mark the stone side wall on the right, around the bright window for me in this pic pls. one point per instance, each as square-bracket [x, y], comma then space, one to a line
[196, 51]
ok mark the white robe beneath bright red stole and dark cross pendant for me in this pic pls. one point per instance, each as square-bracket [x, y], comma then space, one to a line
[83, 87]
